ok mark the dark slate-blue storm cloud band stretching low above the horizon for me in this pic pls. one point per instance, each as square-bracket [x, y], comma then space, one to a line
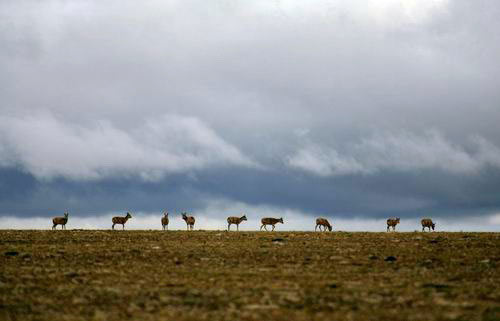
[386, 194]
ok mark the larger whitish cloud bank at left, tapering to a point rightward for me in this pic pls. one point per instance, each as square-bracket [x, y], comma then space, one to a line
[47, 148]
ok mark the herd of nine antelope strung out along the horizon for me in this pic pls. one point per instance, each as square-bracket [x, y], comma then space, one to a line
[321, 223]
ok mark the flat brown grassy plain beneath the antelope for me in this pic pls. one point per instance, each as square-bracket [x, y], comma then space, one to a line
[155, 275]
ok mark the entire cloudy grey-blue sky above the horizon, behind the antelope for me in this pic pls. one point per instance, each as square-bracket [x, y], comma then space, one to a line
[352, 110]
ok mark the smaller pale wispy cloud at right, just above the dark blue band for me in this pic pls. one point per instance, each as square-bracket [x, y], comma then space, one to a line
[403, 151]
